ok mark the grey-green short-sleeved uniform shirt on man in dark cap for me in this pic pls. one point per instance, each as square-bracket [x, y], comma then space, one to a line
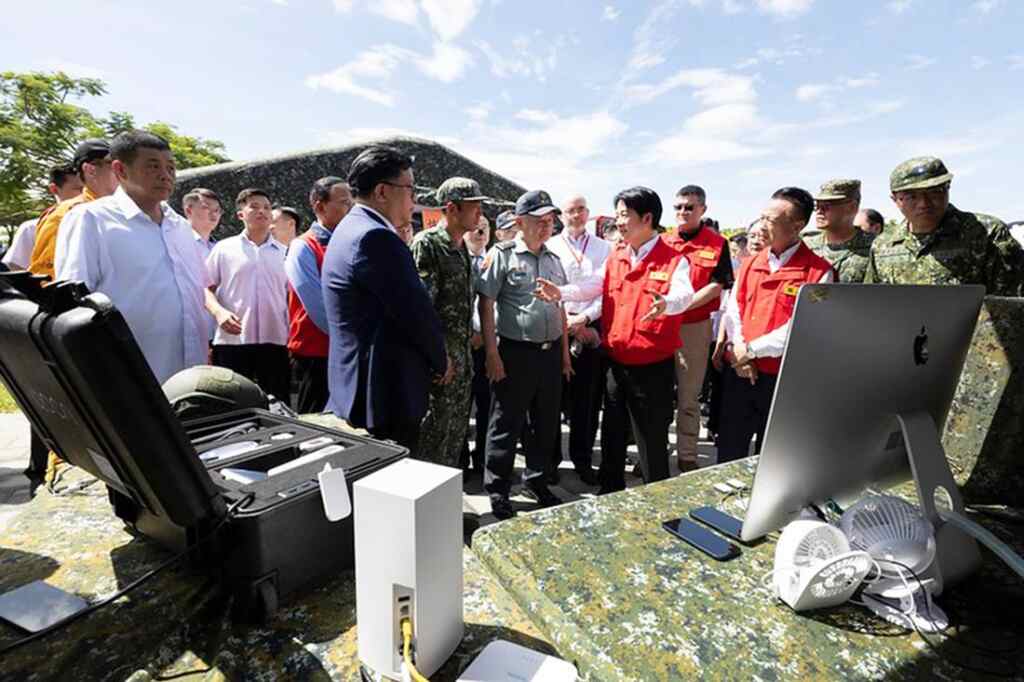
[509, 276]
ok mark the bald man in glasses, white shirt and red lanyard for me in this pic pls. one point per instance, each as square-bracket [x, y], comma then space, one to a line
[582, 254]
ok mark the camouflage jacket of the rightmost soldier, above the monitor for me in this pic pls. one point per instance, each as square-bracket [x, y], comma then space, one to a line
[966, 248]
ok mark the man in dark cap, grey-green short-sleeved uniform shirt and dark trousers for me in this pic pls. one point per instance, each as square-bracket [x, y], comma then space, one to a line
[527, 352]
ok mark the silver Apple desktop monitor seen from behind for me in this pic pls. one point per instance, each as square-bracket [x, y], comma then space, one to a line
[868, 377]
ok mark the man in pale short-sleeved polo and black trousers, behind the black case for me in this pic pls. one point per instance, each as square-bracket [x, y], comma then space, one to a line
[250, 300]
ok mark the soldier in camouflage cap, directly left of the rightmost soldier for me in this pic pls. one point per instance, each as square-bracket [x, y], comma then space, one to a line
[840, 242]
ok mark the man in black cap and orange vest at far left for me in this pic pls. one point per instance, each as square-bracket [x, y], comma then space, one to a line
[93, 163]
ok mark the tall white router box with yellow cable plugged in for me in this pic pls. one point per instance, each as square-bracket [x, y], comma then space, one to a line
[408, 524]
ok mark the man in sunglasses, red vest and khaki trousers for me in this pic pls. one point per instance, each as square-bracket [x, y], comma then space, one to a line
[711, 272]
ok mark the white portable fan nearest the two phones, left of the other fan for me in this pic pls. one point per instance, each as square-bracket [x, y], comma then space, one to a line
[815, 567]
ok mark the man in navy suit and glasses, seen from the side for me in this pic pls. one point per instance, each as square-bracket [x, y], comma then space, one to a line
[387, 343]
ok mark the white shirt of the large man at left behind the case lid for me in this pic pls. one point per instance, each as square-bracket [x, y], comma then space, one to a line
[153, 274]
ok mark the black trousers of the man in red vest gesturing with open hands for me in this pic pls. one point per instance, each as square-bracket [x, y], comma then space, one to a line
[642, 397]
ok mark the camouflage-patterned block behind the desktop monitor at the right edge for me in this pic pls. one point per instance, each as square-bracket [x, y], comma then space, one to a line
[985, 434]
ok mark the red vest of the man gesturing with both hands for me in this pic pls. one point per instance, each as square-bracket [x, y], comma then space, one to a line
[627, 299]
